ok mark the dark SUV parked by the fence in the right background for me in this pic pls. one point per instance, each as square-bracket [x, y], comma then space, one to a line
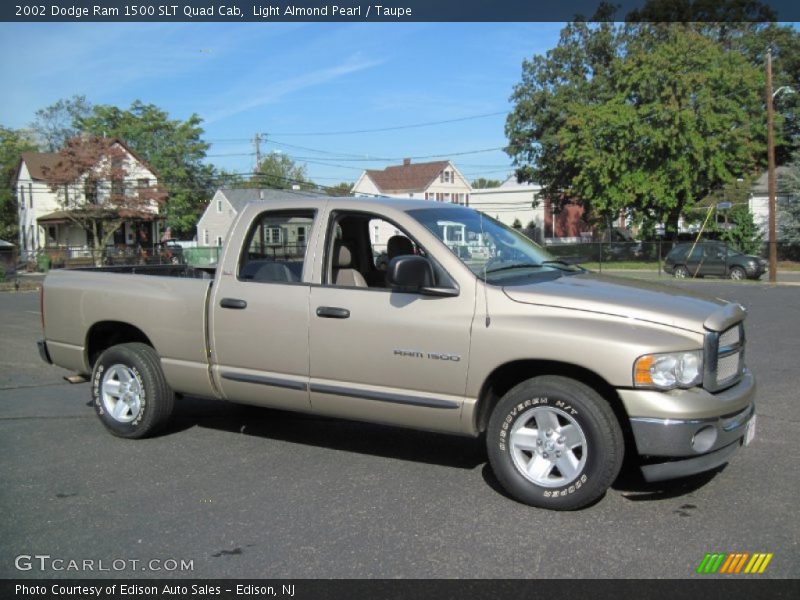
[712, 258]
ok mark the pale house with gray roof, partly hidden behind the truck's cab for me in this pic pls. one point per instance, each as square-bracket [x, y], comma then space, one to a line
[212, 228]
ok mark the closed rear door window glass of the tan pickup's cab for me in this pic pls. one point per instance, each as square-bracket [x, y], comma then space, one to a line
[275, 250]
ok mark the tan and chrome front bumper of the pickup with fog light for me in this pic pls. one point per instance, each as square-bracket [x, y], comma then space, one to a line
[691, 439]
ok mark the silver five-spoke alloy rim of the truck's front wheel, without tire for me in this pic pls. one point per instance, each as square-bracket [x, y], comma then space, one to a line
[548, 446]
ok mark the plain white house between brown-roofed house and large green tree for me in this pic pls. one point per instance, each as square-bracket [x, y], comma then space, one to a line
[511, 202]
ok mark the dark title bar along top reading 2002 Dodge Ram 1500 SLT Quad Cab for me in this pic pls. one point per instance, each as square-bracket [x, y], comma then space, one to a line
[387, 11]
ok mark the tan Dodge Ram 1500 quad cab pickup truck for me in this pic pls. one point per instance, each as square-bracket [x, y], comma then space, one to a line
[424, 315]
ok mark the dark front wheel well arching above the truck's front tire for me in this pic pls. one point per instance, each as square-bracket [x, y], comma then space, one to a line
[505, 377]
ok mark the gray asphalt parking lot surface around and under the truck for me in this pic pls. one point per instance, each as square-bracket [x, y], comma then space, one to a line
[247, 492]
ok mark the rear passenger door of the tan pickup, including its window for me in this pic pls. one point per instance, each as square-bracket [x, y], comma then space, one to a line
[259, 319]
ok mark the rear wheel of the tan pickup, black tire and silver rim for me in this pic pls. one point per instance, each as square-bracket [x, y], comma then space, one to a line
[130, 394]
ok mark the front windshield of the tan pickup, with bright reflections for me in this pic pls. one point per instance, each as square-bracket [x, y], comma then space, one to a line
[490, 249]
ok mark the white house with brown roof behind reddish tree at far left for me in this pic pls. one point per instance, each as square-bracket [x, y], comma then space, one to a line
[43, 214]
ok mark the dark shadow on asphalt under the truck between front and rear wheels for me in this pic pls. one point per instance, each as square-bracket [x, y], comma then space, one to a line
[325, 432]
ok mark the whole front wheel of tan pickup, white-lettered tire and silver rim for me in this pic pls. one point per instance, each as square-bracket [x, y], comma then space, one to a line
[535, 402]
